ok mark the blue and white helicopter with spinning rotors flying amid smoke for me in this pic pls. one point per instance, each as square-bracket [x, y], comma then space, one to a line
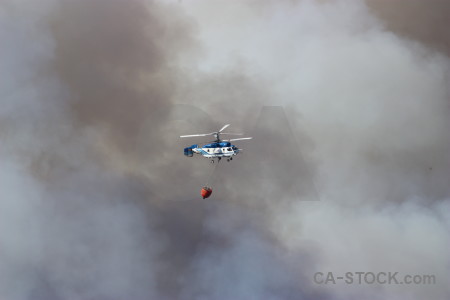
[216, 149]
